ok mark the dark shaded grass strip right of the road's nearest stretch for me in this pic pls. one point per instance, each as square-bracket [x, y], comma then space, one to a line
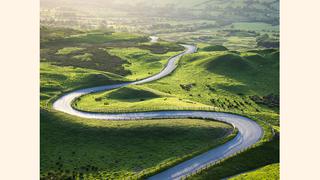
[267, 153]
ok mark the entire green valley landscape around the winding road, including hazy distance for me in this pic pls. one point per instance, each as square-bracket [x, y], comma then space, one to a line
[235, 70]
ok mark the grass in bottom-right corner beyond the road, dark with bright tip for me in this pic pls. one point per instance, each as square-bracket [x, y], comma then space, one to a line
[251, 160]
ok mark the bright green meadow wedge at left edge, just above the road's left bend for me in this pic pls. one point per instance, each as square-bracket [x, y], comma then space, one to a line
[56, 80]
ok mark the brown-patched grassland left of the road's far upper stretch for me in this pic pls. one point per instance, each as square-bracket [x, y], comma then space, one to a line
[120, 53]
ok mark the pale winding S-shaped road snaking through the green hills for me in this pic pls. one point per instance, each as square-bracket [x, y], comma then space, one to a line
[249, 132]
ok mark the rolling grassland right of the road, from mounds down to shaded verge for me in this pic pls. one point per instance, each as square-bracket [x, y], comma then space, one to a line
[243, 82]
